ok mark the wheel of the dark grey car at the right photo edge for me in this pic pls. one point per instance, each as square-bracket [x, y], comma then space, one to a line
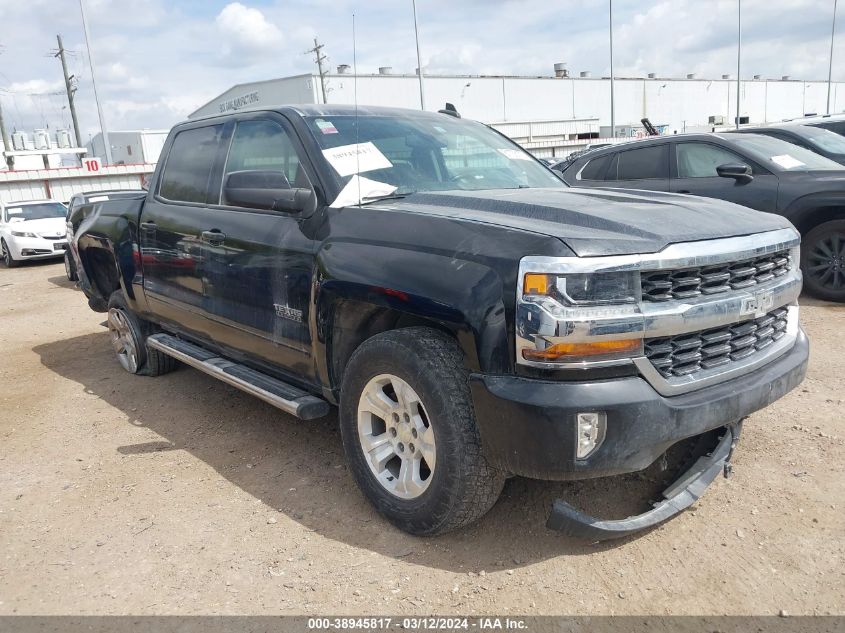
[823, 261]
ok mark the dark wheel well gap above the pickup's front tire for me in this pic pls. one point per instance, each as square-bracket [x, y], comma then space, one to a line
[355, 322]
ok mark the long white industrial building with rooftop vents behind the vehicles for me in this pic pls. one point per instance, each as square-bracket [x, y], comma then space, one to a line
[553, 115]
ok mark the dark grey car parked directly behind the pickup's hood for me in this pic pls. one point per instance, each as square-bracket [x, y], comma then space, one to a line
[753, 170]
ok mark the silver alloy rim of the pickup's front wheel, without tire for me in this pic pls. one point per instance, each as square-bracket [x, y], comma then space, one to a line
[396, 436]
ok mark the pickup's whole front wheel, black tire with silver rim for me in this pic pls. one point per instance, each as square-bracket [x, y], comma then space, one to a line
[409, 432]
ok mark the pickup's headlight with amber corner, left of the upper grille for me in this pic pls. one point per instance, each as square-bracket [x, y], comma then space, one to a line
[584, 289]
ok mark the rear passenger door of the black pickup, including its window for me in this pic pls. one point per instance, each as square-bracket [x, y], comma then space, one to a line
[171, 251]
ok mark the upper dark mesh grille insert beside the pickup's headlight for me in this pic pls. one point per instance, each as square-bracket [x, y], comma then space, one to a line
[687, 283]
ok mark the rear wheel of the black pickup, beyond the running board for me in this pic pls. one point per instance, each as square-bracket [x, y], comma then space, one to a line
[128, 337]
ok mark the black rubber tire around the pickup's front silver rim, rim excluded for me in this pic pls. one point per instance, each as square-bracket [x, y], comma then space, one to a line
[463, 485]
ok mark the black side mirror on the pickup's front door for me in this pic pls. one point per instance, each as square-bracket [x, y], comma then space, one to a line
[268, 190]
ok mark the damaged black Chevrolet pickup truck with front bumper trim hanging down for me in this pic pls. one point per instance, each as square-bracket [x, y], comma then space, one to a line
[471, 316]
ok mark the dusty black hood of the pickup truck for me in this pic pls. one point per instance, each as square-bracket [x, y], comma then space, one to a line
[597, 222]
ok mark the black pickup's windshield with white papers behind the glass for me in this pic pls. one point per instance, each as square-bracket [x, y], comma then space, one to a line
[425, 153]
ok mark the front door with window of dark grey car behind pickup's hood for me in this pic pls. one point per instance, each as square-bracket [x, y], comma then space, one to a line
[694, 171]
